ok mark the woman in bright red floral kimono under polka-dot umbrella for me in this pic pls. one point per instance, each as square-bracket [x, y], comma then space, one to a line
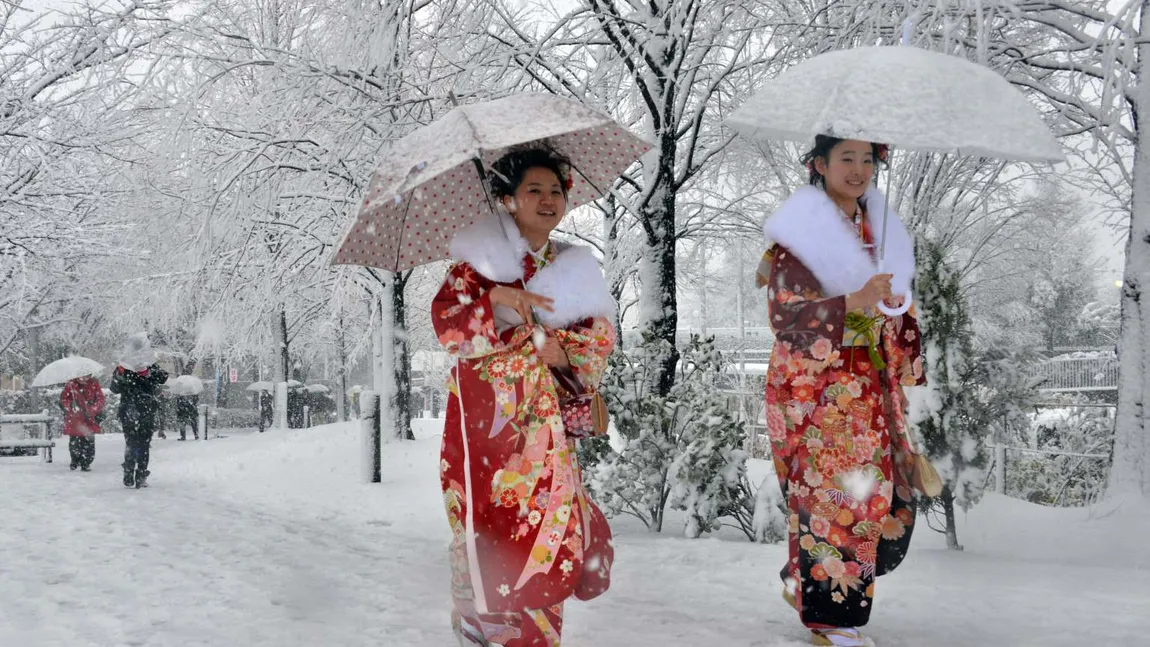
[527, 537]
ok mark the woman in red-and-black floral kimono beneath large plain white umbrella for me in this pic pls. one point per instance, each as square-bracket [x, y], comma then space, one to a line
[834, 388]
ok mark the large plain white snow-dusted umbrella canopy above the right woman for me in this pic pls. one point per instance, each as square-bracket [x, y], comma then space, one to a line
[906, 97]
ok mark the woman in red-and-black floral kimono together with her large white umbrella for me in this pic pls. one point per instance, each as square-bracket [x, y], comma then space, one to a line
[840, 259]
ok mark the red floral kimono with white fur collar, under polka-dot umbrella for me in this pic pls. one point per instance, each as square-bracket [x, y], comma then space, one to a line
[526, 533]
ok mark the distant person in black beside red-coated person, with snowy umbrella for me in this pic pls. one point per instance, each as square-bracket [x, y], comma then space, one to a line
[137, 380]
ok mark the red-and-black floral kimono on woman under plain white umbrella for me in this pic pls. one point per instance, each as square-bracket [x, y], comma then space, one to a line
[829, 414]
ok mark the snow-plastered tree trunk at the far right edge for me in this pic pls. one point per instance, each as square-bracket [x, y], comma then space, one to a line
[1131, 472]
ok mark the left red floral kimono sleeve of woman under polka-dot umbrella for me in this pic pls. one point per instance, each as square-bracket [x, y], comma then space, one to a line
[463, 315]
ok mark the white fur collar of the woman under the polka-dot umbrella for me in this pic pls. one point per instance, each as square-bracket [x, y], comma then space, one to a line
[574, 279]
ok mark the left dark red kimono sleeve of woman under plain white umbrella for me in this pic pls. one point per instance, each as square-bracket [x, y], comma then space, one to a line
[800, 314]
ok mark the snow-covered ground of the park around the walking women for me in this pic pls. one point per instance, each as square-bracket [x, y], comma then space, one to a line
[274, 541]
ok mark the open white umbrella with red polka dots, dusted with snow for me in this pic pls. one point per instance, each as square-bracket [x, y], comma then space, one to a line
[428, 187]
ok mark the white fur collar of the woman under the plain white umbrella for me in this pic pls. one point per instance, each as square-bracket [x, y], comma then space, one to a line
[812, 228]
